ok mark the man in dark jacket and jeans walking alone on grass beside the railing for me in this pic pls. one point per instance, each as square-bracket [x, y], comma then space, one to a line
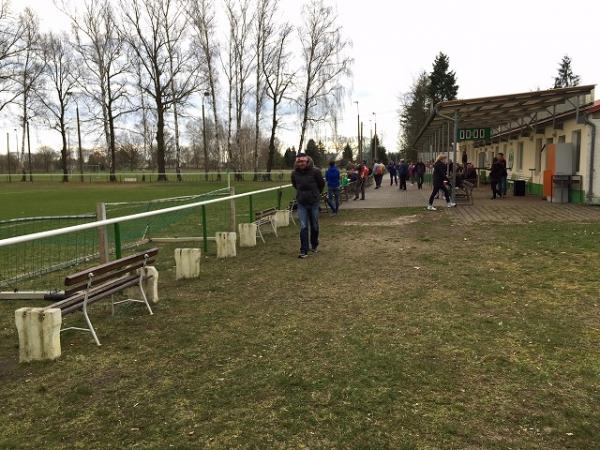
[309, 183]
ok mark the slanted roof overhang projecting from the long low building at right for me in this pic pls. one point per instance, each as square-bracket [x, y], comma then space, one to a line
[507, 111]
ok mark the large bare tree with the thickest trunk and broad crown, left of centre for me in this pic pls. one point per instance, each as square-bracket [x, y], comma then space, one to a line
[148, 41]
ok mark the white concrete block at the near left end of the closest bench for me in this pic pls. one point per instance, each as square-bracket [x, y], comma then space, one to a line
[39, 333]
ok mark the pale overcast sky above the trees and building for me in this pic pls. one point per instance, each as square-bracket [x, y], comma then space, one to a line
[494, 47]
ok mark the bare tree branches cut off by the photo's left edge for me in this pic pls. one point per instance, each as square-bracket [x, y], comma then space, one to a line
[10, 35]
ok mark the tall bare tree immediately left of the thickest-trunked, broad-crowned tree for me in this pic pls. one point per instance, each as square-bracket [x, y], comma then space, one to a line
[102, 52]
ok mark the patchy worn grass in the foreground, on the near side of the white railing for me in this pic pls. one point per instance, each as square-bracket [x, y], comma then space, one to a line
[393, 337]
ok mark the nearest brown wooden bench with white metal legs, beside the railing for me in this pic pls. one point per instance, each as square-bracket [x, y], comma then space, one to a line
[96, 283]
